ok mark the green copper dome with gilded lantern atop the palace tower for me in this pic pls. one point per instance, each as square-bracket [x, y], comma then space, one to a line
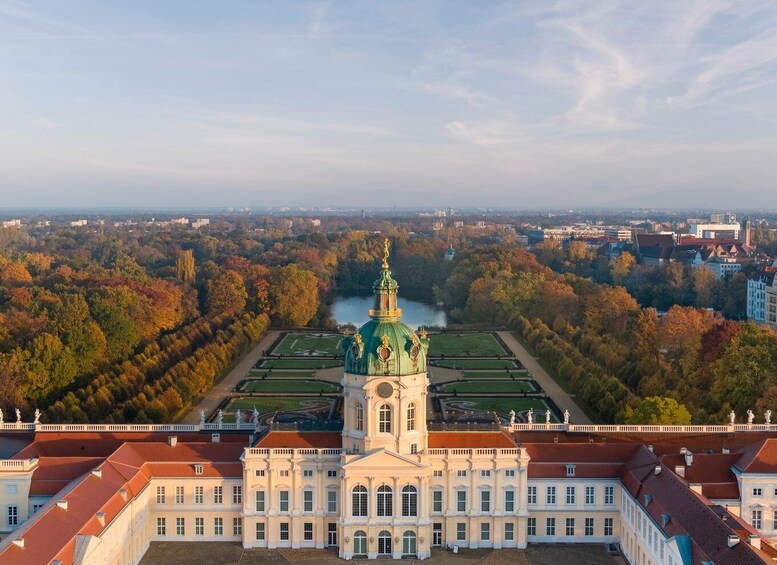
[385, 345]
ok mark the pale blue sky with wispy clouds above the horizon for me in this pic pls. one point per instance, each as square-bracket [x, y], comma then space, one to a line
[388, 103]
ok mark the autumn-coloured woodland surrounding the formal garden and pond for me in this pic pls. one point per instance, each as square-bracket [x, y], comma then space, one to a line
[122, 326]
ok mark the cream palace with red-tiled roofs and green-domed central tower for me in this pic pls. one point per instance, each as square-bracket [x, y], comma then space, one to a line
[392, 483]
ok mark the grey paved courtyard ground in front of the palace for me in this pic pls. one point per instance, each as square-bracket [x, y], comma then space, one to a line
[225, 553]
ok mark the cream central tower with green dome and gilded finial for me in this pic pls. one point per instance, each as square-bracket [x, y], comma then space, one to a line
[385, 382]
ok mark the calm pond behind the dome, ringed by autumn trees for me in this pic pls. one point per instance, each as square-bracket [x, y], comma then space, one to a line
[353, 308]
